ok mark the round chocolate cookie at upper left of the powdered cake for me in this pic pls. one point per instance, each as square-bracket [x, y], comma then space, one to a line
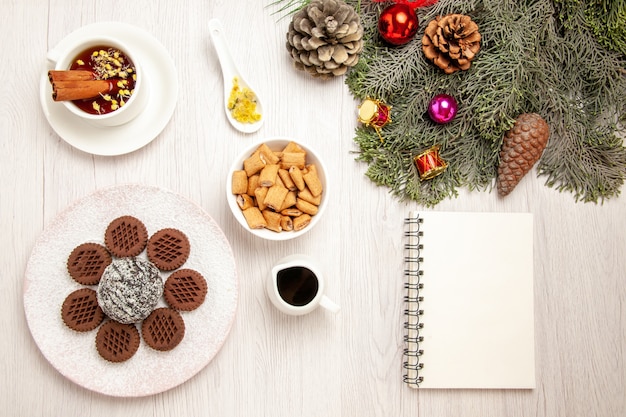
[87, 262]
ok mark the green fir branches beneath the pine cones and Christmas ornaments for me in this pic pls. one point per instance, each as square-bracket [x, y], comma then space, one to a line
[536, 56]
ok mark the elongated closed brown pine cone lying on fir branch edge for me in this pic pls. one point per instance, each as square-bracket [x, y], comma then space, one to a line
[521, 149]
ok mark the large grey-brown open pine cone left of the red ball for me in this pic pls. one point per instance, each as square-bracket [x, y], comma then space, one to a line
[325, 38]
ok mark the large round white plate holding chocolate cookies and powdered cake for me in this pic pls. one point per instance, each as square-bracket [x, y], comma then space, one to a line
[47, 283]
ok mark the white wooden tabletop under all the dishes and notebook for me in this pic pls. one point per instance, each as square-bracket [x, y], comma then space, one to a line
[347, 364]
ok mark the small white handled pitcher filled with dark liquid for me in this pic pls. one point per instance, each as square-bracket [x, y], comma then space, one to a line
[296, 286]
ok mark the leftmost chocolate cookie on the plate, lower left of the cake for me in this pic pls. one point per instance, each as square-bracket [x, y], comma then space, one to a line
[80, 310]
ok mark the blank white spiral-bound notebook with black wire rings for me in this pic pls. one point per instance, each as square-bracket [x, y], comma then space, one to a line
[469, 300]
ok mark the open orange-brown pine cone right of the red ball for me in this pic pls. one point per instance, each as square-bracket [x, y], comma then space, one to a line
[451, 42]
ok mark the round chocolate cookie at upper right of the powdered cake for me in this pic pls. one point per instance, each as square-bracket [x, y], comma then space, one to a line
[168, 249]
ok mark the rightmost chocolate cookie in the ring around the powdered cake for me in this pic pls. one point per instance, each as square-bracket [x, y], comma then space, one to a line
[185, 290]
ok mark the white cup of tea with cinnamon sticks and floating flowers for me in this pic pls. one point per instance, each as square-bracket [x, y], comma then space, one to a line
[98, 79]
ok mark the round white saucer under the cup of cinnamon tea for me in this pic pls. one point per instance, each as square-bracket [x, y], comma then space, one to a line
[159, 72]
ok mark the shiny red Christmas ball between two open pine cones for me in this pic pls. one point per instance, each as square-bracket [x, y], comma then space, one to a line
[397, 24]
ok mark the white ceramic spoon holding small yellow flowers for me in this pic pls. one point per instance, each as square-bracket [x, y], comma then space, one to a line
[229, 72]
